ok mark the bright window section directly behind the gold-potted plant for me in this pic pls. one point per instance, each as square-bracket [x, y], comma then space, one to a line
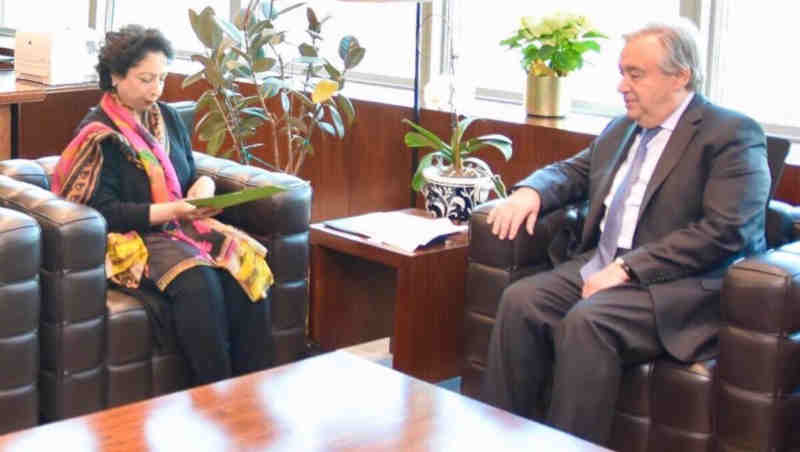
[496, 70]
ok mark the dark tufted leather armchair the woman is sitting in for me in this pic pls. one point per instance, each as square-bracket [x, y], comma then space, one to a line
[98, 349]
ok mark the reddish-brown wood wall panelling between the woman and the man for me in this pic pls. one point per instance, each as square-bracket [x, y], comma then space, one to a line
[371, 168]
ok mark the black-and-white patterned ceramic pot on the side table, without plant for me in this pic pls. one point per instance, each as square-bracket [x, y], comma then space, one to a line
[455, 197]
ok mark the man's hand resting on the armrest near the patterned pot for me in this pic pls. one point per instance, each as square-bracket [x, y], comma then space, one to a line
[507, 216]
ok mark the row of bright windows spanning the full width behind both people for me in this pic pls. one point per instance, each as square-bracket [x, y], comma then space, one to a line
[750, 65]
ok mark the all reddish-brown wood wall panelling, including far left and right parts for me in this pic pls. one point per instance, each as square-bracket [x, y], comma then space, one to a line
[370, 169]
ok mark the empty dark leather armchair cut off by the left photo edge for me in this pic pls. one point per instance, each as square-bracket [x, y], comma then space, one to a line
[20, 255]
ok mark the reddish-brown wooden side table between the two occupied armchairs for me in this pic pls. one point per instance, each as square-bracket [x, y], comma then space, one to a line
[362, 290]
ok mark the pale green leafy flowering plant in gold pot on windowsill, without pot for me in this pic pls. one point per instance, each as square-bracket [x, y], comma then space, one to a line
[555, 44]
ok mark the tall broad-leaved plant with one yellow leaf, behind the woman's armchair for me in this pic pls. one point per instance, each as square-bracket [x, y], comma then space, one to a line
[253, 48]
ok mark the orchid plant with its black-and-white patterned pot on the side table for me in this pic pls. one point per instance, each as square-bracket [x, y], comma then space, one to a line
[452, 180]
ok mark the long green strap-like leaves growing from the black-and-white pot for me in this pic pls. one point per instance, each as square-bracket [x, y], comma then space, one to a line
[454, 151]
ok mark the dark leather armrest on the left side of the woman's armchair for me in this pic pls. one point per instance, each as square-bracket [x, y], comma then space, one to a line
[73, 315]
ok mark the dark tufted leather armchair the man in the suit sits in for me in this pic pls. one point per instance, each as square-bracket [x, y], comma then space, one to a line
[748, 399]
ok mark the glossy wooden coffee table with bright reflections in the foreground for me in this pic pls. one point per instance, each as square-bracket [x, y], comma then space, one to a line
[334, 401]
